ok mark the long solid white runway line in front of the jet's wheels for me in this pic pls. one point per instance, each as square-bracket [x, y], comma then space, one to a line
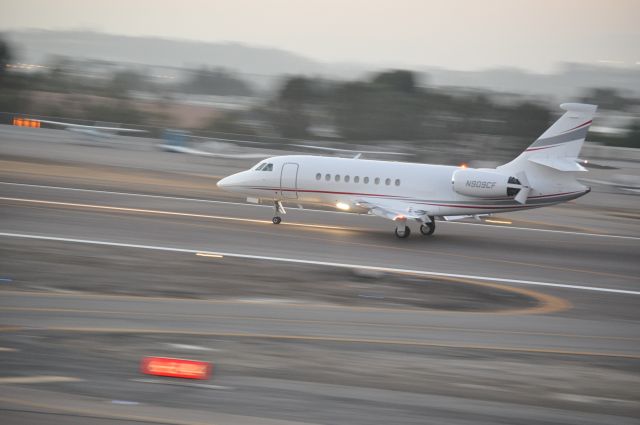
[323, 263]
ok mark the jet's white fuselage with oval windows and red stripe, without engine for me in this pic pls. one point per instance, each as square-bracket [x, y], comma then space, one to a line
[329, 180]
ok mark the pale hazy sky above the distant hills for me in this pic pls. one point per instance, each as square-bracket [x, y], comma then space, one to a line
[470, 34]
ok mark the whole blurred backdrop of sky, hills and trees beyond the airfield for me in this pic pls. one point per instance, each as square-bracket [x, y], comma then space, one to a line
[454, 82]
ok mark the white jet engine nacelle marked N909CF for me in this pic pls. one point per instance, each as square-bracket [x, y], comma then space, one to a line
[484, 184]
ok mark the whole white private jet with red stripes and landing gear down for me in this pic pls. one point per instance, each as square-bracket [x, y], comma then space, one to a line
[544, 174]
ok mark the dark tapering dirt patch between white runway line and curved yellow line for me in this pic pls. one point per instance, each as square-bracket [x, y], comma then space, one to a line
[57, 266]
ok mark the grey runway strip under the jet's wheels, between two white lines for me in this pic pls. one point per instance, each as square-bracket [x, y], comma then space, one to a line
[577, 259]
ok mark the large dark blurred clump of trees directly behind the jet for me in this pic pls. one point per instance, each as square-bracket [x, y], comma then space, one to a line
[391, 106]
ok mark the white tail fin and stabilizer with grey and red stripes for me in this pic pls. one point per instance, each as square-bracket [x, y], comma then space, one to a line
[554, 155]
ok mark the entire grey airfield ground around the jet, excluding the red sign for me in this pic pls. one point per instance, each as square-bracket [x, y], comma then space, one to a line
[533, 322]
